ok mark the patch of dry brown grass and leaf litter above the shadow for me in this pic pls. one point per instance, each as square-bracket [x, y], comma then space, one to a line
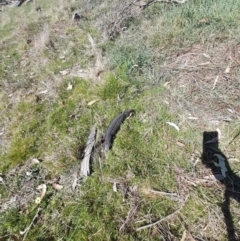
[206, 81]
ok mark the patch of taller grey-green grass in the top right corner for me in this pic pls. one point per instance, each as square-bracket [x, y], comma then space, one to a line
[198, 22]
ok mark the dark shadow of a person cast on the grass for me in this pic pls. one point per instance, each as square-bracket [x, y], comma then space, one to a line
[213, 158]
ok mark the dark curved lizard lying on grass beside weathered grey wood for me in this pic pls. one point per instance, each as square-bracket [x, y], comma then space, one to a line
[114, 127]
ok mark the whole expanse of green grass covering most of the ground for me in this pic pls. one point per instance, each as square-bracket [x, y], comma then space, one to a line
[146, 154]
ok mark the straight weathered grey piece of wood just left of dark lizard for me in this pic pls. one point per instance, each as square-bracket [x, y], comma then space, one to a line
[85, 165]
